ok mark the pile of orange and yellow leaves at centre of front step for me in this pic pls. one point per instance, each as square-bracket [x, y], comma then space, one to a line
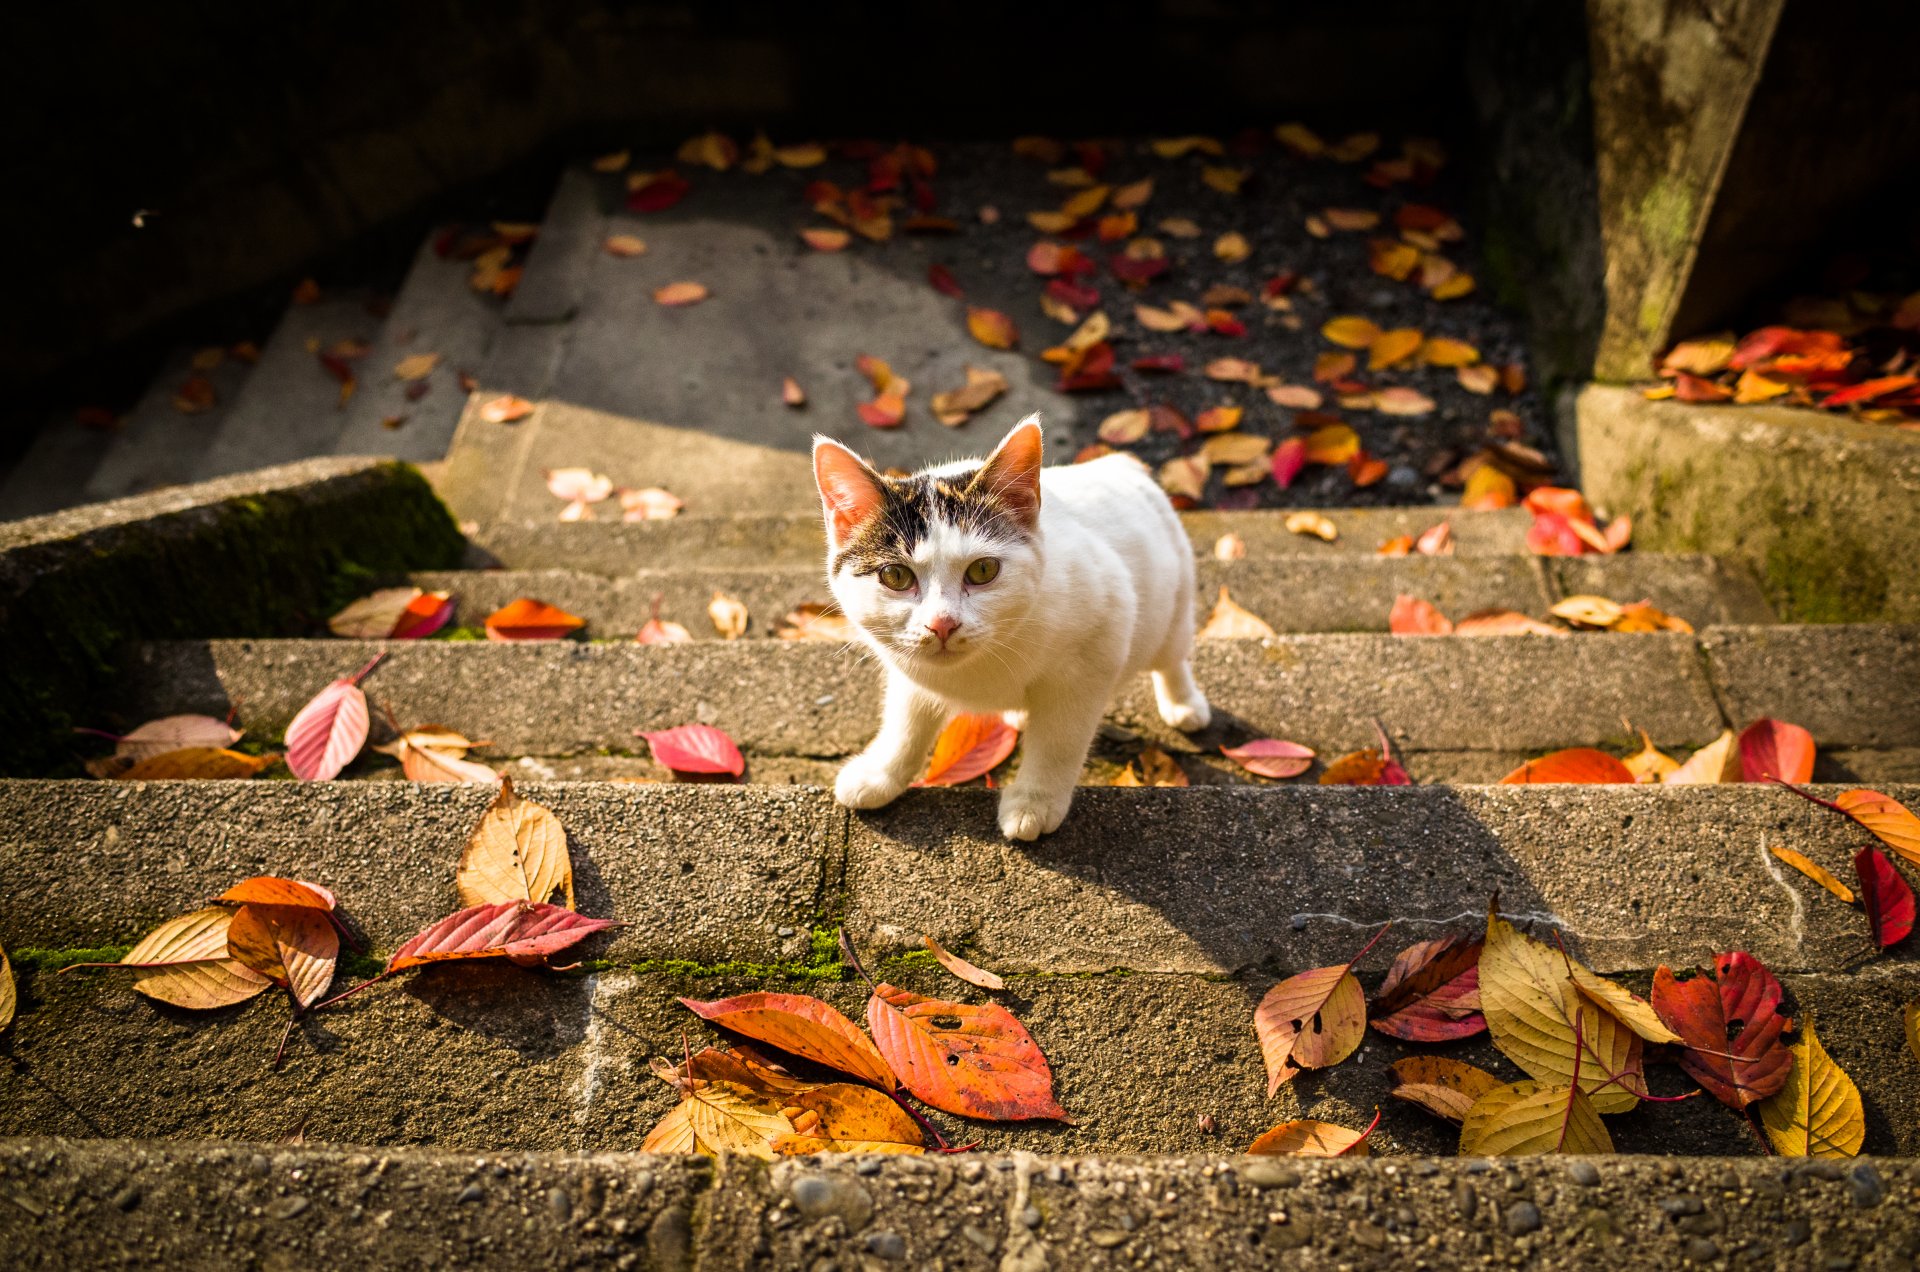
[971, 1060]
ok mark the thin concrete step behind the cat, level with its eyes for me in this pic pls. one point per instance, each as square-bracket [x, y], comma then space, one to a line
[1295, 593]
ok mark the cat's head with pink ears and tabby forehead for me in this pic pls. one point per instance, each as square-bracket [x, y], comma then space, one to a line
[940, 566]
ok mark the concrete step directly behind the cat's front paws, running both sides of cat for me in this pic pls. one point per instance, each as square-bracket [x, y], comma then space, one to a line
[1462, 710]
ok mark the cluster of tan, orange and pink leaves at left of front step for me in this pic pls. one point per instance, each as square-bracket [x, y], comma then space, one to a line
[287, 933]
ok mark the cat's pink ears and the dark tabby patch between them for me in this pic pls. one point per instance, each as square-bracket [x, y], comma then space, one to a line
[876, 520]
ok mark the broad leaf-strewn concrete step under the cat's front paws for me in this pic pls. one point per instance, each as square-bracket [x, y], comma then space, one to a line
[1136, 944]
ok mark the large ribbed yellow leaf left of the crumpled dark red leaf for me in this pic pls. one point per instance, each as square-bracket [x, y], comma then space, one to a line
[1531, 1008]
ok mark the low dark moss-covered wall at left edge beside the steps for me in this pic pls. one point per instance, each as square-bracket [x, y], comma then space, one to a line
[266, 564]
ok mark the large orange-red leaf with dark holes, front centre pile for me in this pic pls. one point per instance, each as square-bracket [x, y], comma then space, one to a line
[974, 1062]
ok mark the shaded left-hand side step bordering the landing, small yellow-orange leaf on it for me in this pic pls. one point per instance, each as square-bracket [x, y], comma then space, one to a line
[437, 312]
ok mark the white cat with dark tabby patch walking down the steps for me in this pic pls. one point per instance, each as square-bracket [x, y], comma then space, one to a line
[1007, 587]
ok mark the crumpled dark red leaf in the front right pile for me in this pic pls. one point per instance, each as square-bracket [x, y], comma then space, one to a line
[1731, 1023]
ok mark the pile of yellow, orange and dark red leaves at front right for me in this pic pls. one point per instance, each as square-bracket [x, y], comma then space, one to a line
[1581, 1040]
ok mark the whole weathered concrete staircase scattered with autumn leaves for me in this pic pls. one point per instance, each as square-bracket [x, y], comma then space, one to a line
[487, 1115]
